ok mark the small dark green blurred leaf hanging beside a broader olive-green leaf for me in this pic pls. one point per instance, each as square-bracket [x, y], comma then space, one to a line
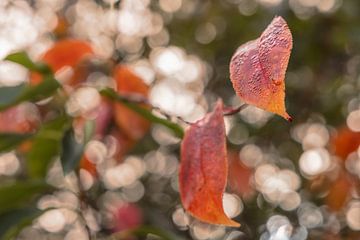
[72, 152]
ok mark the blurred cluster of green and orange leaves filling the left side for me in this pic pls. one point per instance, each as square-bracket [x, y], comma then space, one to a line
[57, 134]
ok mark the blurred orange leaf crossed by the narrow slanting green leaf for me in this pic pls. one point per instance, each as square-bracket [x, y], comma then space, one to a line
[133, 125]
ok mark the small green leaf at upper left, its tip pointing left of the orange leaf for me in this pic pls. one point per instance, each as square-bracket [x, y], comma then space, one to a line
[23, 59]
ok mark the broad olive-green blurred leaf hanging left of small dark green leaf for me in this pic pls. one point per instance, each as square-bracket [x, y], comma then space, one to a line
[46, 146]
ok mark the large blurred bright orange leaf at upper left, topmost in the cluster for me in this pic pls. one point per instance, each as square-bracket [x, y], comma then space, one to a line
[68, 52]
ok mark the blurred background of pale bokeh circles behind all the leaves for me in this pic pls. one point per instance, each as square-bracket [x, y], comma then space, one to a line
[297, 181]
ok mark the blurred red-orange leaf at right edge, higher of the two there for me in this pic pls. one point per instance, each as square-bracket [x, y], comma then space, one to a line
[345, 142]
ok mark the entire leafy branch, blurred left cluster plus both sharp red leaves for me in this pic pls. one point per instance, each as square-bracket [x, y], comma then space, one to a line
[257, 77]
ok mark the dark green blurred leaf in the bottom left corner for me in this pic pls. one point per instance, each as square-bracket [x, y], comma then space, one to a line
[12, 222]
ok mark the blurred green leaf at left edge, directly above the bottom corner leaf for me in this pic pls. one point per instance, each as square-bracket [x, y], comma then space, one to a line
[17, 193]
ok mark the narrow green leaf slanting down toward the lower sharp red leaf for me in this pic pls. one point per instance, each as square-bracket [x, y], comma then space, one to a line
[178, 130]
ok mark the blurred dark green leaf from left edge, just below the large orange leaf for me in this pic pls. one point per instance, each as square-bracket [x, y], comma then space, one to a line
[10, 96]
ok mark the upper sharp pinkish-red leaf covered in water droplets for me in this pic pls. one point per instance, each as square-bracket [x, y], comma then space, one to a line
[257, 69]
